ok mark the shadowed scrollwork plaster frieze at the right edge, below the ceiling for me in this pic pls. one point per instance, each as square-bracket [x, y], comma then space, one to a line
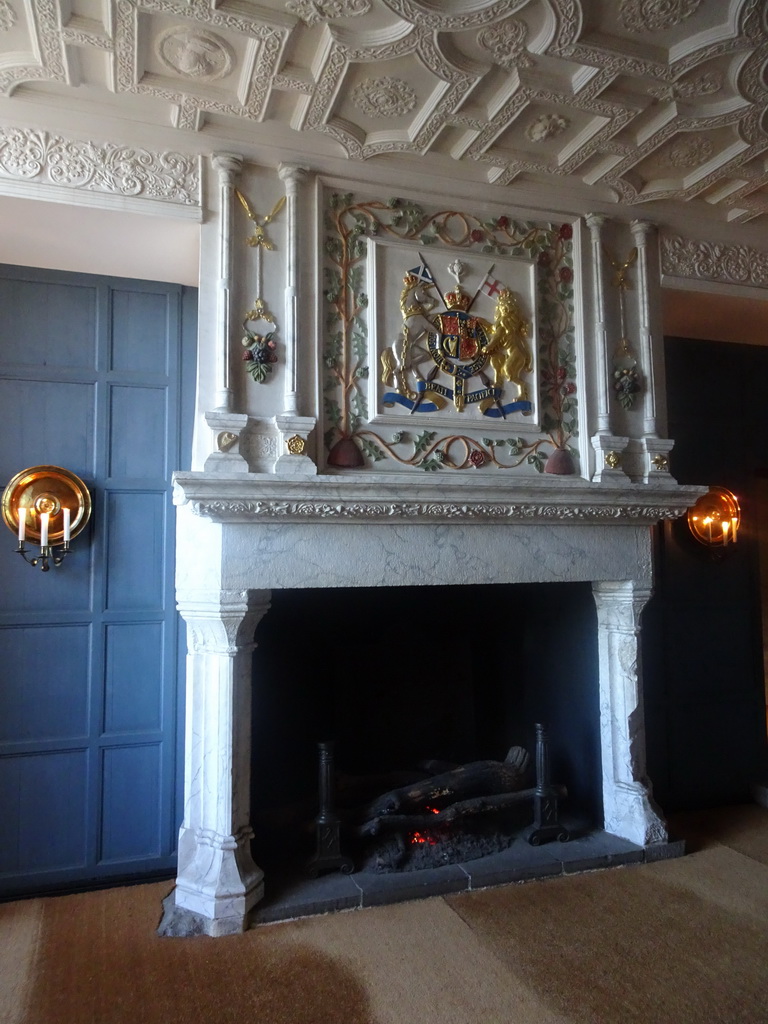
[714, 262]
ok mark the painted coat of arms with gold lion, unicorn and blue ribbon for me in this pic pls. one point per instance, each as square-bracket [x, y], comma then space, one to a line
[454, 355]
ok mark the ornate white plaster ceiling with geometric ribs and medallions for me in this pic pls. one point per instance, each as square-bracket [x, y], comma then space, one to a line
[632, 101]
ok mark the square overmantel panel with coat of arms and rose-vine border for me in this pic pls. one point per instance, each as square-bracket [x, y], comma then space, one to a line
[450, 340]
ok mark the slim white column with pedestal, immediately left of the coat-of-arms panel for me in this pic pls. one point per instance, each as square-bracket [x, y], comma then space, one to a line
[294, 429]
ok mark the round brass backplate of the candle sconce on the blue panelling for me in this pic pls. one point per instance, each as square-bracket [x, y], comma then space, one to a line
[47, 489]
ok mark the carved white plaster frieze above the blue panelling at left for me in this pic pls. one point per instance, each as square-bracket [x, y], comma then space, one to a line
[117, 170]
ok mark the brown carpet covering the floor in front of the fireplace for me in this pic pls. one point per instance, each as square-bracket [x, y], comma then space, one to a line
[671, 943]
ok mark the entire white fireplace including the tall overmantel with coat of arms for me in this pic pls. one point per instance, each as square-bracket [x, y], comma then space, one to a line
[275, 501]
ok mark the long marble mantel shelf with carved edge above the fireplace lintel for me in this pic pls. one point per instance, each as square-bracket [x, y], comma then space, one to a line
[261, 498]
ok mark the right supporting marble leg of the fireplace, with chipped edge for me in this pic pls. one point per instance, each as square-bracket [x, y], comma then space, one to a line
[628, 805]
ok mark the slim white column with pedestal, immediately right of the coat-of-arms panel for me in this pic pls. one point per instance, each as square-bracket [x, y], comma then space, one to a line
[609, 449]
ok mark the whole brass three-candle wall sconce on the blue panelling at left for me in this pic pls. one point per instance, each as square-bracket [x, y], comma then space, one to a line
[50, 506]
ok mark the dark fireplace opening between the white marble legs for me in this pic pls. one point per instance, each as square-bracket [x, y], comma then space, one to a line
[399, 677]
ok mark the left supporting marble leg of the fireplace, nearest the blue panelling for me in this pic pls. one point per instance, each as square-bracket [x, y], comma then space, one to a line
[218, 882]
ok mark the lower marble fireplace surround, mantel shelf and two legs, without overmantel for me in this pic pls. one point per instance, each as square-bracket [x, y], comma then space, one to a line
[242, 538]
